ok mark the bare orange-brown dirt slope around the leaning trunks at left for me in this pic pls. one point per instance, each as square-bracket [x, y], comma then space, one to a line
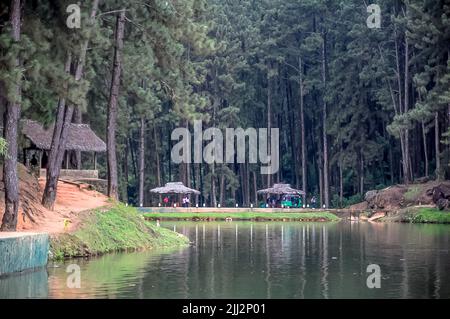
[72, 204]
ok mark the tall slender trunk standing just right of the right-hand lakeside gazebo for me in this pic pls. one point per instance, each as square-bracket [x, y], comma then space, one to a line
[325, 138]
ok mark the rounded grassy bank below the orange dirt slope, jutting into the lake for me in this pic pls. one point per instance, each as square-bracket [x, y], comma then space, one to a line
[118, 228]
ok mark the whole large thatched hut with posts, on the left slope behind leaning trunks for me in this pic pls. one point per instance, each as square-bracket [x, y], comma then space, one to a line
[81, 138]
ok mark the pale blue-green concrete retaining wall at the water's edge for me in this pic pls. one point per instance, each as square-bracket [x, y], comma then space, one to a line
[22, 251]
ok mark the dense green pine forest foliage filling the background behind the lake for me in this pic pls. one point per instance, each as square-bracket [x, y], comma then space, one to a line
[222, 62]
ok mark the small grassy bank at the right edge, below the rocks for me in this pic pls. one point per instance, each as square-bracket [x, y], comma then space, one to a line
[425, 215]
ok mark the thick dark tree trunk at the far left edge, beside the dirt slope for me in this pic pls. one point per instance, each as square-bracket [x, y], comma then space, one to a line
[10, 178]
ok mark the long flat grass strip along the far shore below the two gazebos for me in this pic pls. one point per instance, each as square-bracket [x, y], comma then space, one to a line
[310, 216]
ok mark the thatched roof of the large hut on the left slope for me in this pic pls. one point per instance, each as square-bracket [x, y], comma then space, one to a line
[81, 137]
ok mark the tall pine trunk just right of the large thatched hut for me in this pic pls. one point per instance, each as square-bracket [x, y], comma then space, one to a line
[112, 108]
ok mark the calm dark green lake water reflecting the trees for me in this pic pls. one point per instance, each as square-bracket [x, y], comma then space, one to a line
[262, 260]
